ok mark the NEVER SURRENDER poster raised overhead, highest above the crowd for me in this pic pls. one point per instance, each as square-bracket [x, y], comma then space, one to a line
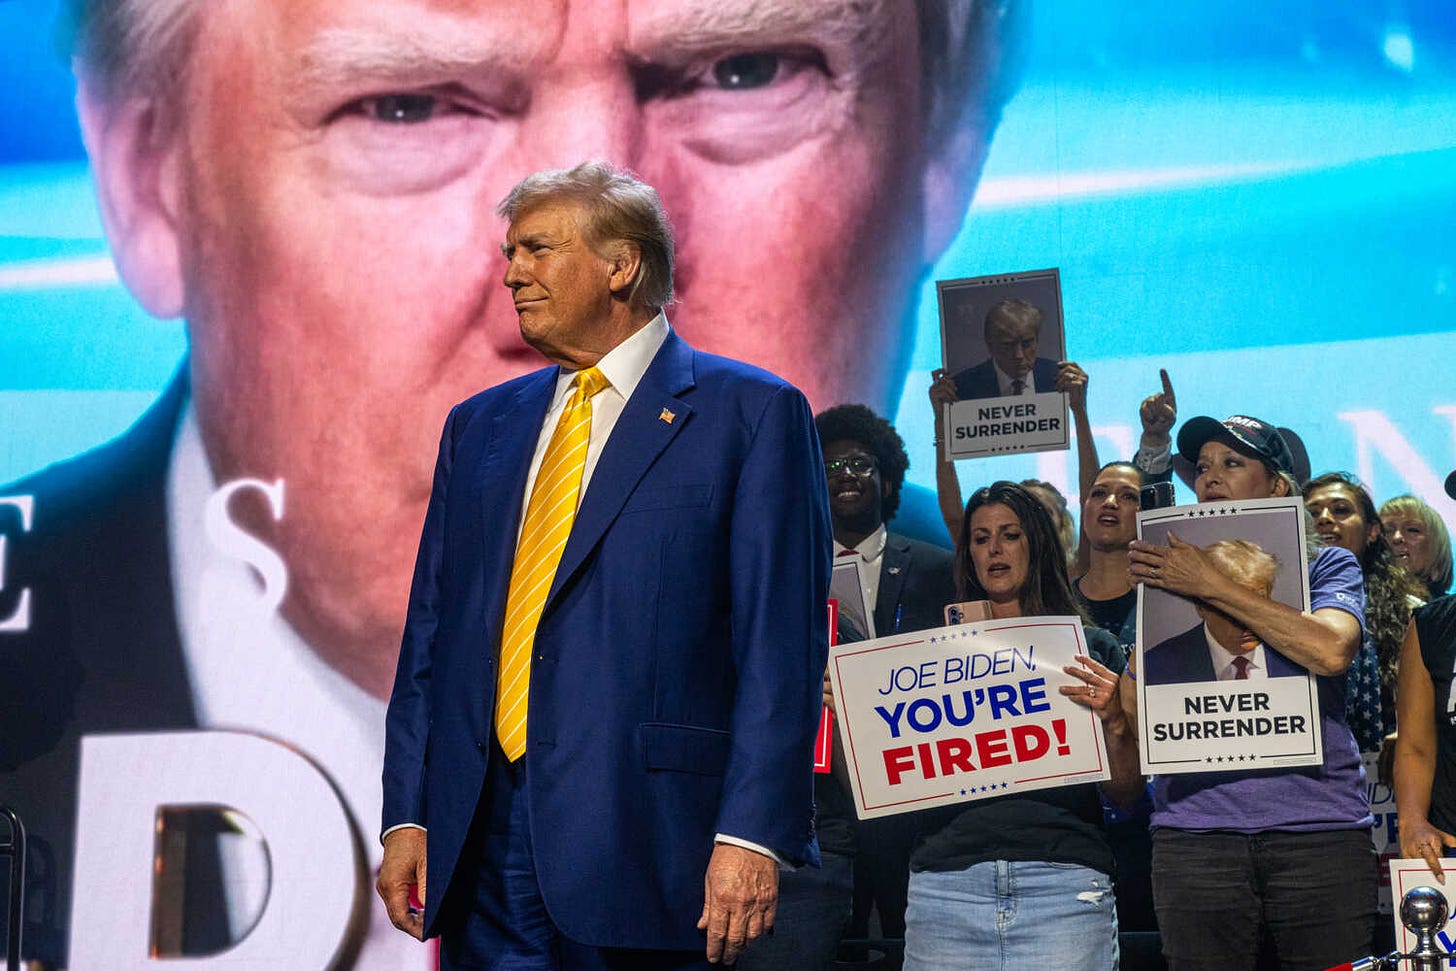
[1001, 344]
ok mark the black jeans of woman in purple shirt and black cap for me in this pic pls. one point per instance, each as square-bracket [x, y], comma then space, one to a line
[1216, 893]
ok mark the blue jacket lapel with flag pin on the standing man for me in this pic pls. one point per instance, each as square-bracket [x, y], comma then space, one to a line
[641, 435]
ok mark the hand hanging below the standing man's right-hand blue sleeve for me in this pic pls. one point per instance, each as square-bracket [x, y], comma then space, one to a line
[742, 896]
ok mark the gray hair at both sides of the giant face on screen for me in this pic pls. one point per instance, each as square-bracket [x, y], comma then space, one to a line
[970, 53]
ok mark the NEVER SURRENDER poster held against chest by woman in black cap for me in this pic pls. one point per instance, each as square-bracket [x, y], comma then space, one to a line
[1212, 698]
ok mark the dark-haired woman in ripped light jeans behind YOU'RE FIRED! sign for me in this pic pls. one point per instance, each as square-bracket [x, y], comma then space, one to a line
[1024, 880]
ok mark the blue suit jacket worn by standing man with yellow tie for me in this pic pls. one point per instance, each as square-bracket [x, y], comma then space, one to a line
[675, 686]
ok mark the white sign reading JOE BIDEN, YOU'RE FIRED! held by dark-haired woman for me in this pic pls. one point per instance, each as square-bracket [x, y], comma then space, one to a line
[966, 713]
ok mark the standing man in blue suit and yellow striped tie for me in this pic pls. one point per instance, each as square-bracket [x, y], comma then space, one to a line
[665, 766]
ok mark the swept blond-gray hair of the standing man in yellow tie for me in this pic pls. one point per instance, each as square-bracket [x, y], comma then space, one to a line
[620, 207]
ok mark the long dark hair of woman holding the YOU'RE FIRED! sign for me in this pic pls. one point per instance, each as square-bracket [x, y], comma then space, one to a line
[1048, 592]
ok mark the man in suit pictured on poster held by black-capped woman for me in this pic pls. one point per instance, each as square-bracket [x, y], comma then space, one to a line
[1221, 649]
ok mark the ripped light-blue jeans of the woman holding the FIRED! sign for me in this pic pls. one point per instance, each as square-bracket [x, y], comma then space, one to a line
[1010, 915]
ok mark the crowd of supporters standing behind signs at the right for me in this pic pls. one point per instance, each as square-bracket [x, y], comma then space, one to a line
[1234, 870]
